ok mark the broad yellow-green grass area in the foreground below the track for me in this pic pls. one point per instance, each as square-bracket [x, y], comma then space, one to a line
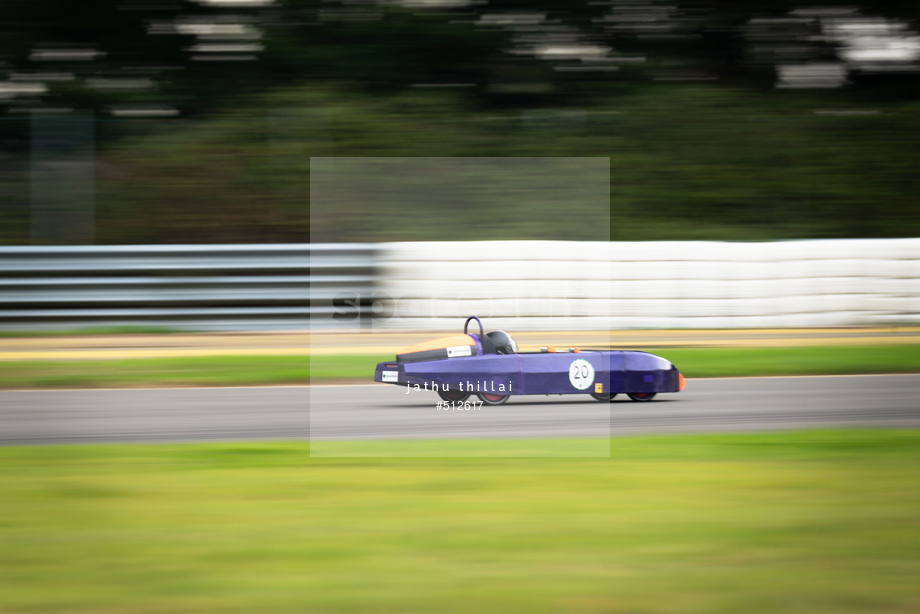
[810, 522]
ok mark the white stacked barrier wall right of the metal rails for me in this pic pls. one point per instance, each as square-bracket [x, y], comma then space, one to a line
[570, 285]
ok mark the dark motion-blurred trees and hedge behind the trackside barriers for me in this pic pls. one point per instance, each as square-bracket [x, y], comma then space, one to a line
[206, 114]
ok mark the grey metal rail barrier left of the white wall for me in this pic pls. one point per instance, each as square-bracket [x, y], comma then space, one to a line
[202, 287]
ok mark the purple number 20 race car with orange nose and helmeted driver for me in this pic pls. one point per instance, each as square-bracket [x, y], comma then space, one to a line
[490, 366]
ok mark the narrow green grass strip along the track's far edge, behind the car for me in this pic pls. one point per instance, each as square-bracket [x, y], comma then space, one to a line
[264, 370]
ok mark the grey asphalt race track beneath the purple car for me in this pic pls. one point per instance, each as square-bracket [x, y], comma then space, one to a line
[387, 412]
